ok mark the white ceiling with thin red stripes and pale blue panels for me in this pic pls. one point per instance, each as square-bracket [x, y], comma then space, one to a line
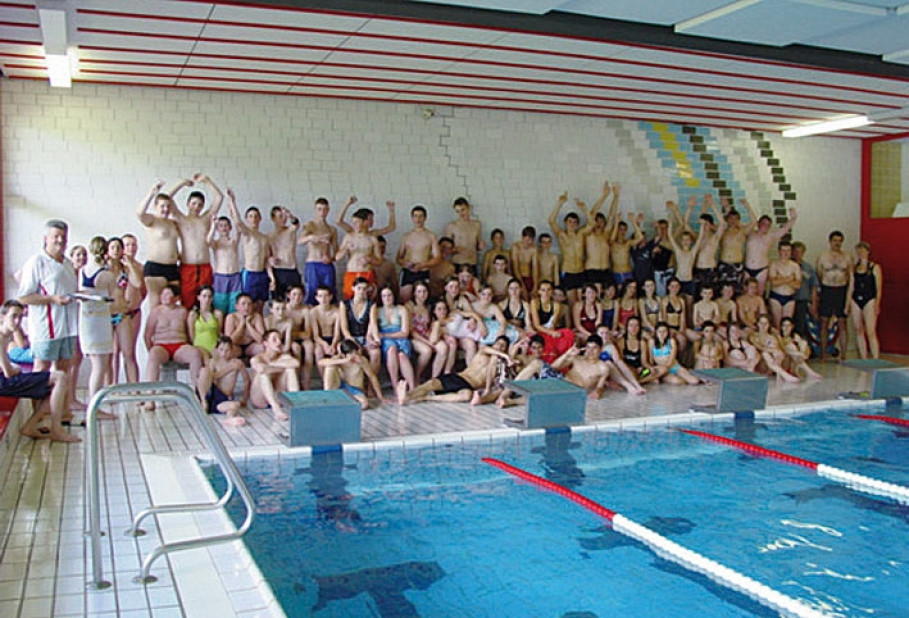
[309, 52]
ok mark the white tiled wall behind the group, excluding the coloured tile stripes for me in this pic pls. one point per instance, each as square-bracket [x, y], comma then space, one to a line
[89, 154]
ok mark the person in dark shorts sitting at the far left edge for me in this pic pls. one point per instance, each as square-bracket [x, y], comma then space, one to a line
[48, 388]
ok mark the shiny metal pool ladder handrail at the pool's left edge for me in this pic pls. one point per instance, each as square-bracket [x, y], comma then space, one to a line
[160, 392]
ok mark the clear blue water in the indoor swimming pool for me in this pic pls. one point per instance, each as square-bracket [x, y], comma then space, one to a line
[432, 531]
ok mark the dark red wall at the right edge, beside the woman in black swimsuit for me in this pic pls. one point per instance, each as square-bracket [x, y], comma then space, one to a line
[889, 239]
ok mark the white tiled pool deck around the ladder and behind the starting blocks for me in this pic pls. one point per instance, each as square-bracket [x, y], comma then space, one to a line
[45, 558]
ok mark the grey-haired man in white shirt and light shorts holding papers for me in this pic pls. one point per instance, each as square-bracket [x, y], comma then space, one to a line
[47, 282]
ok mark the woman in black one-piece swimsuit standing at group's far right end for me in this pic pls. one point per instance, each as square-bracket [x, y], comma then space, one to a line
[865, 302]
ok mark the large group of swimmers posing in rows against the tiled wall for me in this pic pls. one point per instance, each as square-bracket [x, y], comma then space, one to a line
[614, 306]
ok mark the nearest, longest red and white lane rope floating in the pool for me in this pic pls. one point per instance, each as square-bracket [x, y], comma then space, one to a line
[672, 551]
